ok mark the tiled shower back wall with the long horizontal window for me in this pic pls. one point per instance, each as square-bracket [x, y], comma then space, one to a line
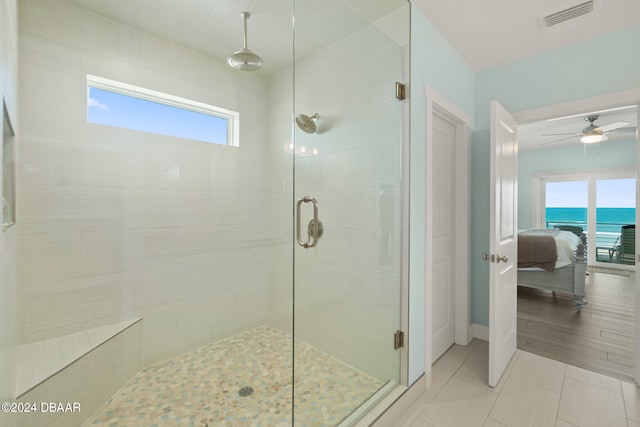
[118, 224]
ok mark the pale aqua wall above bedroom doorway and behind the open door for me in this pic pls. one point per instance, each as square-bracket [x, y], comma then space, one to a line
[547, 79]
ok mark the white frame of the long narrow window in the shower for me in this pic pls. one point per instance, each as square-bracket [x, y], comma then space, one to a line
[232, 117]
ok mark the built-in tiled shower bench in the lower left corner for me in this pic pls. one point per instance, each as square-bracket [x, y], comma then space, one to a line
[85, 367]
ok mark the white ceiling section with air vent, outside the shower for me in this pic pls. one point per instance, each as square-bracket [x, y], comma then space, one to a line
[490, 33]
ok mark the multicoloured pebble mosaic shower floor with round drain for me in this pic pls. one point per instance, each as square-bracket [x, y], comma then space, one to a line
[202, 387]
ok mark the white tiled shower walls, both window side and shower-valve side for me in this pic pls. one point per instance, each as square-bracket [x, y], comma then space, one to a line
[197, 238]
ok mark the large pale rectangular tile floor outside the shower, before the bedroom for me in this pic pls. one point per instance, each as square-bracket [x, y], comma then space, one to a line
[534, 391]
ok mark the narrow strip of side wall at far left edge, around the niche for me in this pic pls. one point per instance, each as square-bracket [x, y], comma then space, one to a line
[8, 239]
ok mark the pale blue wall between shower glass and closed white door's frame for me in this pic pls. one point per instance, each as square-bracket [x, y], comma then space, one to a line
[433, 62]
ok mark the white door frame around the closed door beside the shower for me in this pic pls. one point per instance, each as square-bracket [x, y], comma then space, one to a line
[437, 103]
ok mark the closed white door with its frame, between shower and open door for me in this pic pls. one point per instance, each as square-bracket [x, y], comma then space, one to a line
[447, 226]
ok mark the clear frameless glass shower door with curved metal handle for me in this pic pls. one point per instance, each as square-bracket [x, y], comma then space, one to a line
[348, 195]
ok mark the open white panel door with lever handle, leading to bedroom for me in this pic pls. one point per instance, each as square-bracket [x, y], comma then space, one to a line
[503, 241]
